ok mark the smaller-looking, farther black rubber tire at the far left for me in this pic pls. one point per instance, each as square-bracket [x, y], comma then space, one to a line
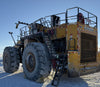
[11, 59]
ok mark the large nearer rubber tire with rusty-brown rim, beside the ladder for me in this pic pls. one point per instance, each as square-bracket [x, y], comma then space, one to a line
[39, 66]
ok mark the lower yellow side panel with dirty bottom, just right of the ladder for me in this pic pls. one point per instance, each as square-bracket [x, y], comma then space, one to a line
[73, 63]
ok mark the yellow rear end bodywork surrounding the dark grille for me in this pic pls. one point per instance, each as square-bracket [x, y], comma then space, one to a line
[75, 67]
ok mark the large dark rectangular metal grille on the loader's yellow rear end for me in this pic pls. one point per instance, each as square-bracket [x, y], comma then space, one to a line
[88, 48]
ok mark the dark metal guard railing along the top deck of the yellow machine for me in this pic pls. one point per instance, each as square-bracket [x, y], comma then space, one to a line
[46, 21]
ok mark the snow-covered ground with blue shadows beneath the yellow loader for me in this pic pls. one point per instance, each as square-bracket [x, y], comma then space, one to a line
[17, 80]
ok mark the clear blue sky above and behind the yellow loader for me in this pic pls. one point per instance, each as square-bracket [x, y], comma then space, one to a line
[28, 11]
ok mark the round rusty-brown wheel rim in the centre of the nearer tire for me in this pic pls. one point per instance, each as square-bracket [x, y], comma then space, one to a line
[30, 62]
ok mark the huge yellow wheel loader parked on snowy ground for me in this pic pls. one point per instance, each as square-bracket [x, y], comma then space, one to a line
[66, 42]
